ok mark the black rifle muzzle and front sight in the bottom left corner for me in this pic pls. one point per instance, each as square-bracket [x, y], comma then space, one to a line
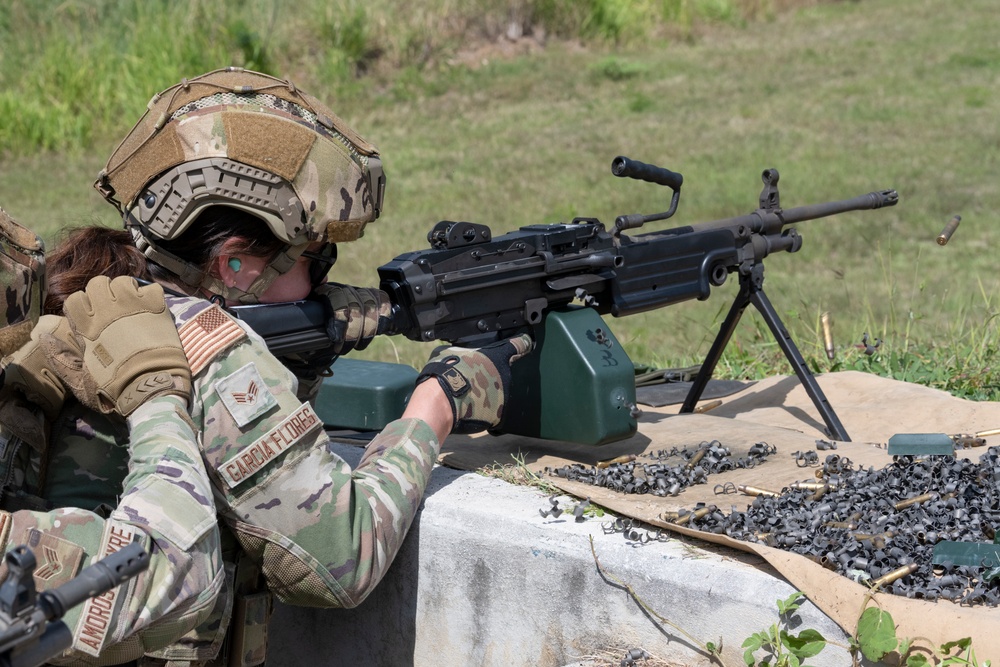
[31, 631]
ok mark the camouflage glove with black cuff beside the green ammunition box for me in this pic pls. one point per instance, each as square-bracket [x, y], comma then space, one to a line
[476, 380]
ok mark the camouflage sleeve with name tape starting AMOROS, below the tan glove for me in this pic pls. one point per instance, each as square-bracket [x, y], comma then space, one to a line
[167, 506]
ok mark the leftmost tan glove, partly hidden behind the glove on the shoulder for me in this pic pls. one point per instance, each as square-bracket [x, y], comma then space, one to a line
[28, 369]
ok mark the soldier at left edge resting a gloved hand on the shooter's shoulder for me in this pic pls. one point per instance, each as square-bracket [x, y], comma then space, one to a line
[166, 503]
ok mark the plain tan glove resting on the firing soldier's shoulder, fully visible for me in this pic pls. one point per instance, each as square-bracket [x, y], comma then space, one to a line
[125, 348]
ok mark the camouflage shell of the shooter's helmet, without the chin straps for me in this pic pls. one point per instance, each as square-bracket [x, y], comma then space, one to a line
[263, 123]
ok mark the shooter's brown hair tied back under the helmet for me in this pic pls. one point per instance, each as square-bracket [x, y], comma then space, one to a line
[86, 252]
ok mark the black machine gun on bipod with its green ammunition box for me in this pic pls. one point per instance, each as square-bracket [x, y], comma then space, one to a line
[556, 280]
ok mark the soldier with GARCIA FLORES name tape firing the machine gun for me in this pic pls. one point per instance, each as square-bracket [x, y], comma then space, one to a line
[218, 163]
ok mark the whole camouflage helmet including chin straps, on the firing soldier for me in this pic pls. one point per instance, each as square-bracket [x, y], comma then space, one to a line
[238, 138]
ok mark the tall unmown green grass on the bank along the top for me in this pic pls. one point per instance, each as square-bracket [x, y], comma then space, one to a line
[70, 70]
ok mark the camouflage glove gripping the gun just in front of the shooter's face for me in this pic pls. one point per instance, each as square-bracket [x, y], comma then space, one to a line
[358, 314]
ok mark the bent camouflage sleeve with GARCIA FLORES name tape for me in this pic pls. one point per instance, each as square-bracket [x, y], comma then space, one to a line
[323, 533]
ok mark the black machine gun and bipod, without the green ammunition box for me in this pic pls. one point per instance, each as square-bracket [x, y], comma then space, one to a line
[470, 288]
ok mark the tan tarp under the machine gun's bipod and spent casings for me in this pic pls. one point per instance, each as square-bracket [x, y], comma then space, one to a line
[779, 412]
